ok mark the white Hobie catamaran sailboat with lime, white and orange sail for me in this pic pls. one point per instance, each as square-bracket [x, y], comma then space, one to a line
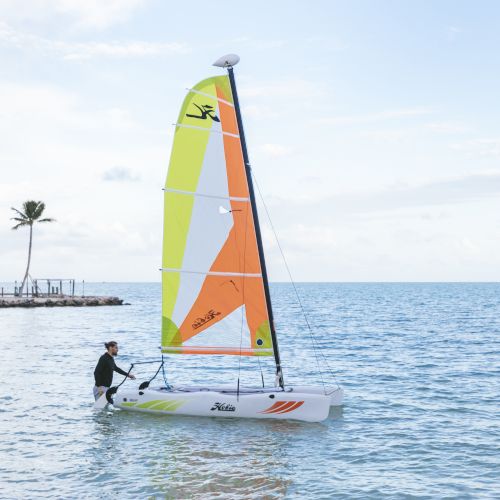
[215, 291]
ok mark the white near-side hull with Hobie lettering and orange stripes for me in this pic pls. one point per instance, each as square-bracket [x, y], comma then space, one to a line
[306, 406]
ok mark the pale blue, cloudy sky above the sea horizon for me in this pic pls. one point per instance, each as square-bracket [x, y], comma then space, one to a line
[372, 129]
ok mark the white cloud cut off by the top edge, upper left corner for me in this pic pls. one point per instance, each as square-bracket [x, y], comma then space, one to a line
[96, 14]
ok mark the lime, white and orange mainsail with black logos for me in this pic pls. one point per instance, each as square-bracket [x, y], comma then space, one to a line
[214, 300]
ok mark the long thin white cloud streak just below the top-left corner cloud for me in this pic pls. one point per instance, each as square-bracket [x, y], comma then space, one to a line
[86, 50]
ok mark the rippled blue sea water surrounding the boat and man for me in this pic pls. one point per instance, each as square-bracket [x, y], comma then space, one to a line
[419, 363]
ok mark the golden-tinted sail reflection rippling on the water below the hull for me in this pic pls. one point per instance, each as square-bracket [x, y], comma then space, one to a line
[217, 462]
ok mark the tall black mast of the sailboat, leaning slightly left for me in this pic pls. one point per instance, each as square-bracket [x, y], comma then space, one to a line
[248, 172]
